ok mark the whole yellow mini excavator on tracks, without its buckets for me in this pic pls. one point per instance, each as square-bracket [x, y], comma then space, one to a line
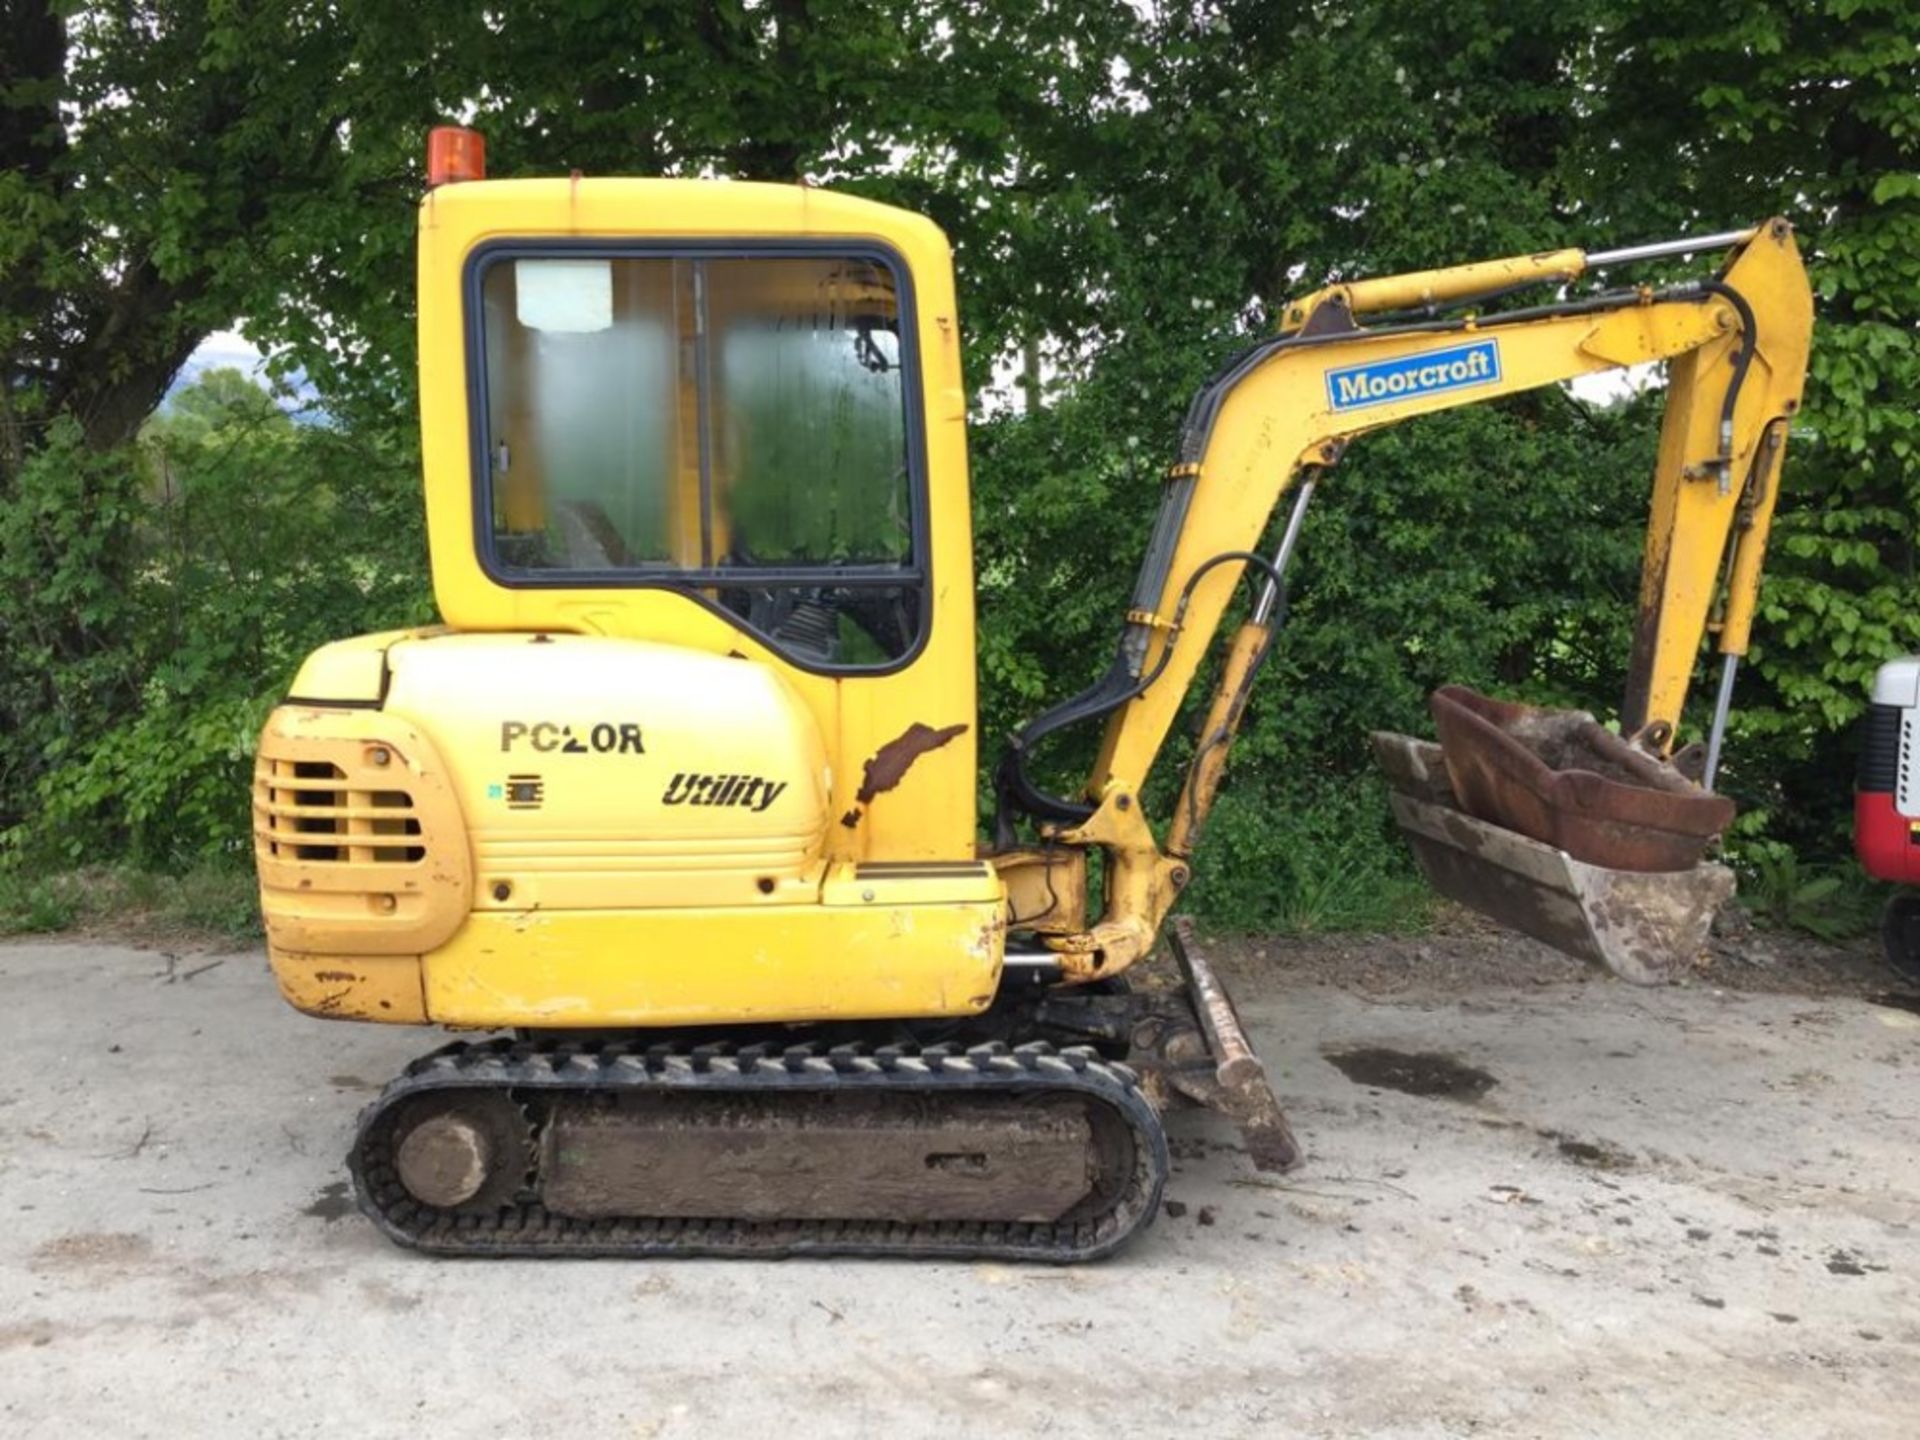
[679, 804]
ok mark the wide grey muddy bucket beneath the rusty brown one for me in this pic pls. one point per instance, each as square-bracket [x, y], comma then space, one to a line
[1643, 926]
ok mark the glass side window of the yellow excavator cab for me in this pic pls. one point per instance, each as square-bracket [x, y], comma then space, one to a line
[729, 425]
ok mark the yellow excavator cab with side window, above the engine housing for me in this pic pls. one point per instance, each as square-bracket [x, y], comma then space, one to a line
[727, 418]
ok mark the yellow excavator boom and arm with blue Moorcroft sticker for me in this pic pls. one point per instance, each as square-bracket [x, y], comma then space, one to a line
[1278, 418]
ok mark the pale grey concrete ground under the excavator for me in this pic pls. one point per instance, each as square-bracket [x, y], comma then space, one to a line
[1675, 1212]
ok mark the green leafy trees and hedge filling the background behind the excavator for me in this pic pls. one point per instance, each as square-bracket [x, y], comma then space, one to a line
[1132, 193]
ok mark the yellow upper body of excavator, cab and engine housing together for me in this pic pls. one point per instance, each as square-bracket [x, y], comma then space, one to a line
[696, 740]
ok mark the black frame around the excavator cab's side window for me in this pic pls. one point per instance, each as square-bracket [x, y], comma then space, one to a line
[690, 583]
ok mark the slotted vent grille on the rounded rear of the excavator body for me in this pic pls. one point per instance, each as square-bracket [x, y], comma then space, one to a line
[314, 811]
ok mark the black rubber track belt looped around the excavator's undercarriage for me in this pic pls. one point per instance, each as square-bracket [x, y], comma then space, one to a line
[529, 1230]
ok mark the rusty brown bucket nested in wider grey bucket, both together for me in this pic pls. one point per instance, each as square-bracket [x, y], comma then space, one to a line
[1606, 878]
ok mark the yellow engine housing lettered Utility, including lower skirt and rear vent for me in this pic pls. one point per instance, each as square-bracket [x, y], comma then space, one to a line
[588, 832]
